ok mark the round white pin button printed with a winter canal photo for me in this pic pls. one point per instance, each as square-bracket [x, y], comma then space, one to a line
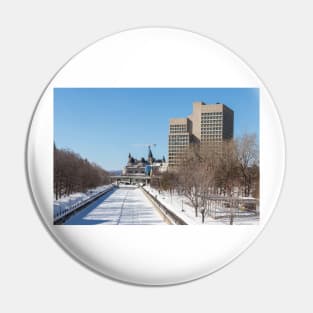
[155, 156]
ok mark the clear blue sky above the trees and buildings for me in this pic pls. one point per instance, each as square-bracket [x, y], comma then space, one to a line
[105, 124]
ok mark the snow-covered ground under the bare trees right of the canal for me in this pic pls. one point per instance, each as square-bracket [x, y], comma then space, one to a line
[182, 207]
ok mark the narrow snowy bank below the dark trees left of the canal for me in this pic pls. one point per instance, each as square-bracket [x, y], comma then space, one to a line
[67, 204]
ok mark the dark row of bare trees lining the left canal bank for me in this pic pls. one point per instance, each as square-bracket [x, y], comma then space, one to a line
[72, 173]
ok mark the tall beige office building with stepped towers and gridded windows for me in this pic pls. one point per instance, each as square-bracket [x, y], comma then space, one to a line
[207, 124]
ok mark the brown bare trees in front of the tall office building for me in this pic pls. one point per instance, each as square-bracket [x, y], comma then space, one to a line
[229, 168]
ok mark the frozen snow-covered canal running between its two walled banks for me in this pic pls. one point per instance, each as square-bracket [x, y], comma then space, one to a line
[123, 206]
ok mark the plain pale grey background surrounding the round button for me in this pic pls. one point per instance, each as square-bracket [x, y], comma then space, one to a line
[38, 37]
